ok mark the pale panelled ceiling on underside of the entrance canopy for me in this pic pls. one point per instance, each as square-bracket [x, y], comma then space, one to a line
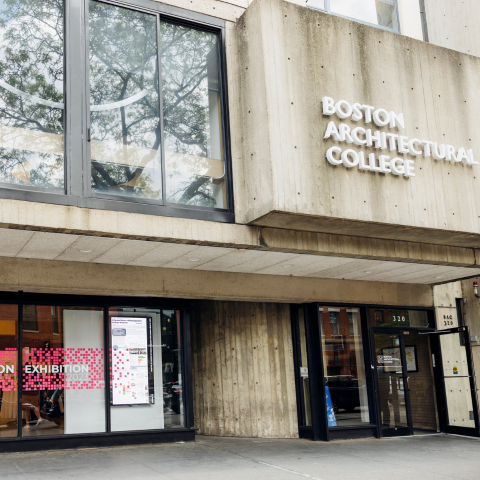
[139, 253]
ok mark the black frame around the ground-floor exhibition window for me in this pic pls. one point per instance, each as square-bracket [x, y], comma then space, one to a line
[75, 440]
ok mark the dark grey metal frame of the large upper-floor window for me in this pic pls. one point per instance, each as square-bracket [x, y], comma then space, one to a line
[76, 149]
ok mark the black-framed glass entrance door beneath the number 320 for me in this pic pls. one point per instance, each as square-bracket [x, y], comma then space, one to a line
[392, 387]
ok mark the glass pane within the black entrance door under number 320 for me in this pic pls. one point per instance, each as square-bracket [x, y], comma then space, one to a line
[390, 381]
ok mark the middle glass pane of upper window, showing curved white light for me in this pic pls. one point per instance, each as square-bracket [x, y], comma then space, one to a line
[124, 103]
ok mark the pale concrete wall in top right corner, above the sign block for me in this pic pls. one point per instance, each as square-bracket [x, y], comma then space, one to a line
[454, 24]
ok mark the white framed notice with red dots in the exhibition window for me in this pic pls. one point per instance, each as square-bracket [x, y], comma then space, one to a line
[132, 381]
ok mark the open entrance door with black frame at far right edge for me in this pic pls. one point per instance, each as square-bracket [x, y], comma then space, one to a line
[457, 380]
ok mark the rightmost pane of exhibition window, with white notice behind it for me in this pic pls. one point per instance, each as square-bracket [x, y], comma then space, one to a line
[146, 369]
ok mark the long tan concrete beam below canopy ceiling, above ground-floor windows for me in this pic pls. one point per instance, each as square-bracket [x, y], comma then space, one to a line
[45, 276]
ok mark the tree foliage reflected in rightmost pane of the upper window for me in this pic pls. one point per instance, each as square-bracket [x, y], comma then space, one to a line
[185, 85]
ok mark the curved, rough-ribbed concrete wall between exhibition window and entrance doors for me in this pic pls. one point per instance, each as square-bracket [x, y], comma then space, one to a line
[242, 370]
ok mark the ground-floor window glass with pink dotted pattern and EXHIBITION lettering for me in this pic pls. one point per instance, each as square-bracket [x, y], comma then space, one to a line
[69, 385]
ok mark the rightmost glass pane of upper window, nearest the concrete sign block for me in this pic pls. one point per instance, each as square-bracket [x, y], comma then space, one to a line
[195, 172]
